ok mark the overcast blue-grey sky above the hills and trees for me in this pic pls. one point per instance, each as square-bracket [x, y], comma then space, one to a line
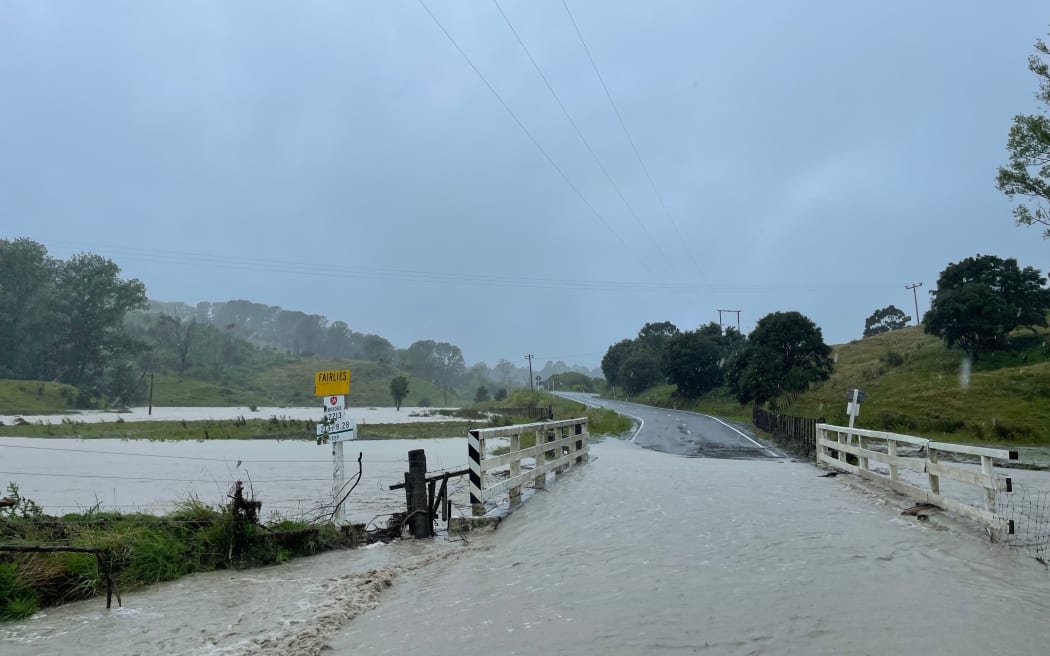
[346, 159]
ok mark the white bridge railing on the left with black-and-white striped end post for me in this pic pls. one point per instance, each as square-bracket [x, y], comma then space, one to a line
[559, 446]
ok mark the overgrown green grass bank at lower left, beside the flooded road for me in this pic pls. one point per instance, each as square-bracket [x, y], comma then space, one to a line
[144, 551]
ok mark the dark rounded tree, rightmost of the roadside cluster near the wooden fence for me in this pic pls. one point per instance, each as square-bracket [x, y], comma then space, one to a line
[786, 353]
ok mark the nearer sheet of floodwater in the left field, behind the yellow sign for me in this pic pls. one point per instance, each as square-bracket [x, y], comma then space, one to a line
[291, 478]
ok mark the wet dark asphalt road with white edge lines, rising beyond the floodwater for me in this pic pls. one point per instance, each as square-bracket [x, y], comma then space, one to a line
[682, 433]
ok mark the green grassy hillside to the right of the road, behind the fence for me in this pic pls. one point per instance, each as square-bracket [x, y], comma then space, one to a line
[918, 387]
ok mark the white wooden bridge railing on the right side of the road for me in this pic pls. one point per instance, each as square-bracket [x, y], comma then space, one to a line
[858, 442]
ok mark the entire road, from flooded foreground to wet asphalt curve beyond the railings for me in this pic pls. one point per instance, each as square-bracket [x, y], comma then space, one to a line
[711, 541]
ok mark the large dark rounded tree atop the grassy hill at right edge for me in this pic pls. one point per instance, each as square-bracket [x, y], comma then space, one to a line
[981, 300]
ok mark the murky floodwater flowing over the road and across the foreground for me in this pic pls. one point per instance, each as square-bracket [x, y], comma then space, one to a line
[638, 553]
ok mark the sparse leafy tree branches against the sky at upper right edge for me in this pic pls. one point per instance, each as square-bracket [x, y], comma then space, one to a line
[1028, 173]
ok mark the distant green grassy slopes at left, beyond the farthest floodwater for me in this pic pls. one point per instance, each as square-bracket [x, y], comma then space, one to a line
[285, 384]
